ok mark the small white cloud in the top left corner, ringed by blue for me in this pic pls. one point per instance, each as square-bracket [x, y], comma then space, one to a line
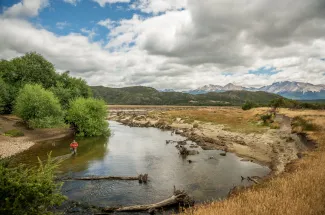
[26, 8]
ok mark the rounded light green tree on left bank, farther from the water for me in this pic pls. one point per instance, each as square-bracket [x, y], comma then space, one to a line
[39, 107]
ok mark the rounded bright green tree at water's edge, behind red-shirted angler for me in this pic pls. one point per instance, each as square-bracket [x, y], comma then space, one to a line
[88, 116]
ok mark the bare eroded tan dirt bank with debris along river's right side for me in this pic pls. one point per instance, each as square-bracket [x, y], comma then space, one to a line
[273, 147]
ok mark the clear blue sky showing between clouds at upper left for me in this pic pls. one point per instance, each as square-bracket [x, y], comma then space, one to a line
[63, 18]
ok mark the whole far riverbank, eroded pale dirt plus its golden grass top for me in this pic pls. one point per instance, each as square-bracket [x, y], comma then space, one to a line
[226, 128]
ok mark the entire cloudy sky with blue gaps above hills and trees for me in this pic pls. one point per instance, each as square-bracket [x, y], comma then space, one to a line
[179, 44]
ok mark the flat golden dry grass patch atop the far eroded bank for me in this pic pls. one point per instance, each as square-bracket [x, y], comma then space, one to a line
[234, 118]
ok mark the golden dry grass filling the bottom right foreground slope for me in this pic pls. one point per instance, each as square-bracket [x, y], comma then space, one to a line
[298, 191]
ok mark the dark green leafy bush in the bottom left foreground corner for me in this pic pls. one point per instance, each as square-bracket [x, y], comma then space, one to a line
[29, 191]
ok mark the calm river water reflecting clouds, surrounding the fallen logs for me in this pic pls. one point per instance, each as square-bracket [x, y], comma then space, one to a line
[131, 151]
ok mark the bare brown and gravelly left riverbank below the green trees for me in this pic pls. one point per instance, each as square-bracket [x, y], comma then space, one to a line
[10, 146]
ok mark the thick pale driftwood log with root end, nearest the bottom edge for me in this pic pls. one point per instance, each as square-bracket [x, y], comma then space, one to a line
[179, 197]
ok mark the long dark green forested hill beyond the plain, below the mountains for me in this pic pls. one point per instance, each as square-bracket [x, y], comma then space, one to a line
[149, 96]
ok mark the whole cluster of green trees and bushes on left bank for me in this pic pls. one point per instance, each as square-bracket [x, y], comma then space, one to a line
[32, 89]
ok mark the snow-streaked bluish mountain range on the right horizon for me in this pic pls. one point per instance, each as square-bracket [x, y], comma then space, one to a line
[288, 89]
